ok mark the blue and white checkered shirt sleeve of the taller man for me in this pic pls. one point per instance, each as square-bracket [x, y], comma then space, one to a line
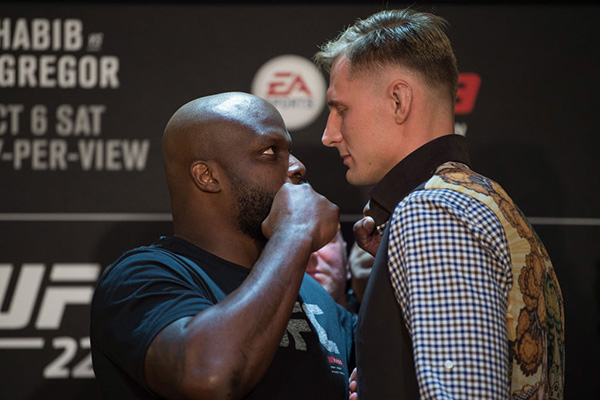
[450, 267]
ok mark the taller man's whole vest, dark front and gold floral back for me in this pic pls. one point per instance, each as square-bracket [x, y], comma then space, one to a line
[535, 315]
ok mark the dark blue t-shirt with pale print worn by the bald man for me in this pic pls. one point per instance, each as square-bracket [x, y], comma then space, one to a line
[150, 287]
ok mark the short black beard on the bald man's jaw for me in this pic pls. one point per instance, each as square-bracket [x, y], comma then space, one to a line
[254, 205]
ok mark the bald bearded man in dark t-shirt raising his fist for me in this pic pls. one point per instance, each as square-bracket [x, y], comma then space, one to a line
[223, 309]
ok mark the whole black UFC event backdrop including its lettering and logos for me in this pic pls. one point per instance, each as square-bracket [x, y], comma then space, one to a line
[86, 90]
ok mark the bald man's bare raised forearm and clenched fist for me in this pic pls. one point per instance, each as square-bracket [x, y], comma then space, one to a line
[222, 352]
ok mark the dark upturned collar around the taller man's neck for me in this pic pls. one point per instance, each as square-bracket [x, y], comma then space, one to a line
[412, 171]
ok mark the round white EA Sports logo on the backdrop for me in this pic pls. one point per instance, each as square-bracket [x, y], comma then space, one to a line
[294, 86]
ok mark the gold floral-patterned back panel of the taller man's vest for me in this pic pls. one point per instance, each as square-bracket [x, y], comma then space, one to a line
[535, 314]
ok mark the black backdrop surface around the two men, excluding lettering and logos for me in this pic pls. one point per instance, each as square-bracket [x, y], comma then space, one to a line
[534, 129]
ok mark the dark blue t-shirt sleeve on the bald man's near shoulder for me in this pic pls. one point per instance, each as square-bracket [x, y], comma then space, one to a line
[136, 298]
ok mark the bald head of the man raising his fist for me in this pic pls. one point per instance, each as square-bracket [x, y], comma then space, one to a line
[219, 148]
